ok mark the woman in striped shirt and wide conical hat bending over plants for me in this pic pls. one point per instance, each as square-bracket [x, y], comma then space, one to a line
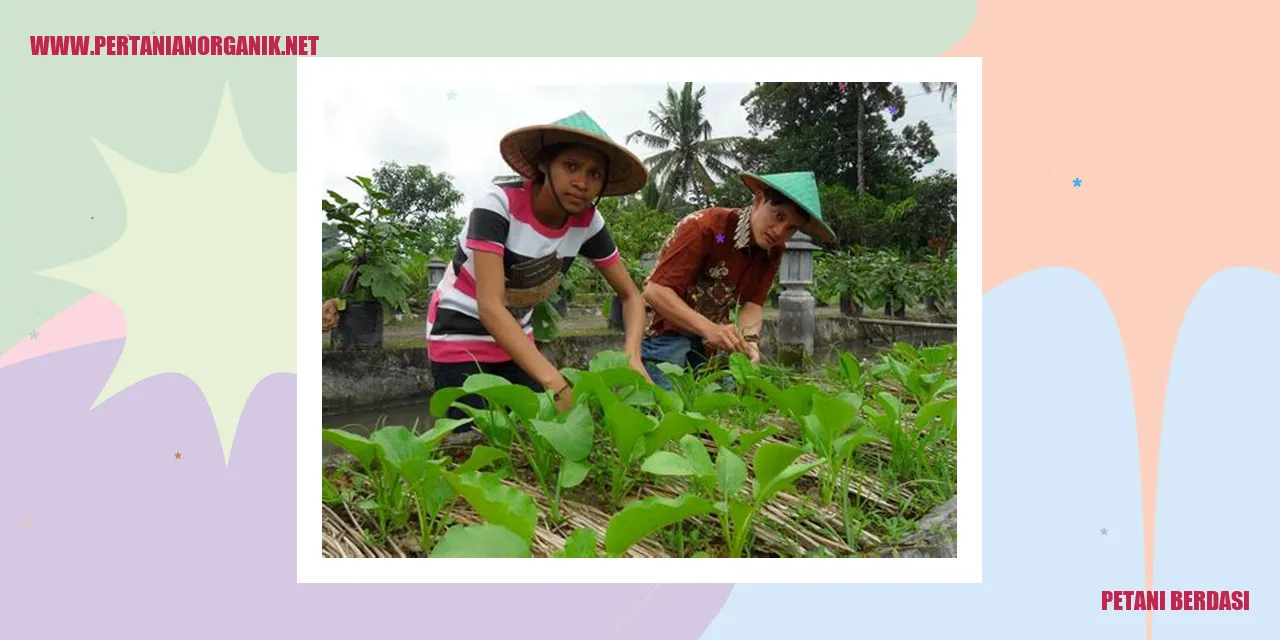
[516, 246]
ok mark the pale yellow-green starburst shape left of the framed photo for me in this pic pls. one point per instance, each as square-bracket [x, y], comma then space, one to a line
[205, 272]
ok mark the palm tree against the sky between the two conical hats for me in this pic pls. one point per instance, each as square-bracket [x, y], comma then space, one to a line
[692, 161]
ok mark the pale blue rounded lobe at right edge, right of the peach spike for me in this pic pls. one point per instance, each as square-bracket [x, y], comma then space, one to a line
[1218, 459]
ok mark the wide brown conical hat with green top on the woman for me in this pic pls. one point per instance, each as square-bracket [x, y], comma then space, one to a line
[522, 150]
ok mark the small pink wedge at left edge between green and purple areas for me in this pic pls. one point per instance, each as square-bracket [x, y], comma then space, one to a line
[92, 319]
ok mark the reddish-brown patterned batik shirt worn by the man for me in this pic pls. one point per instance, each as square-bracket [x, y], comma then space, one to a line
[705, 264]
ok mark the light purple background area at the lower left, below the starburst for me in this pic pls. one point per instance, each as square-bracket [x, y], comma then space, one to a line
[106, 532]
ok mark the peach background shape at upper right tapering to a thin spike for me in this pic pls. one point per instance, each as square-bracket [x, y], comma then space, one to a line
[1150, 104]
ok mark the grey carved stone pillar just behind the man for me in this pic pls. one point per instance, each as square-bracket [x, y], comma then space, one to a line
[797, 316]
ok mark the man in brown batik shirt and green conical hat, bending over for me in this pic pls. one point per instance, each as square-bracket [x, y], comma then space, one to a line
[717, 259]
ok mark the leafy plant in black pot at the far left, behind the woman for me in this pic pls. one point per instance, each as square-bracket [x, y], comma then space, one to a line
[372, 241]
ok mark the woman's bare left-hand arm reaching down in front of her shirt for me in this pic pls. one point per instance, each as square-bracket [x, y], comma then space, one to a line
[506, 331]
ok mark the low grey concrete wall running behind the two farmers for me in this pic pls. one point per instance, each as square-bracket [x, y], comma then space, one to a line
[359, 380]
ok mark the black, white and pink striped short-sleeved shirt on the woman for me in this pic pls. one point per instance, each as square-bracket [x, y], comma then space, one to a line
[536, 258]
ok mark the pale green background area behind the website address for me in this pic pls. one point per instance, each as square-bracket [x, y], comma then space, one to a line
[158, 112]
